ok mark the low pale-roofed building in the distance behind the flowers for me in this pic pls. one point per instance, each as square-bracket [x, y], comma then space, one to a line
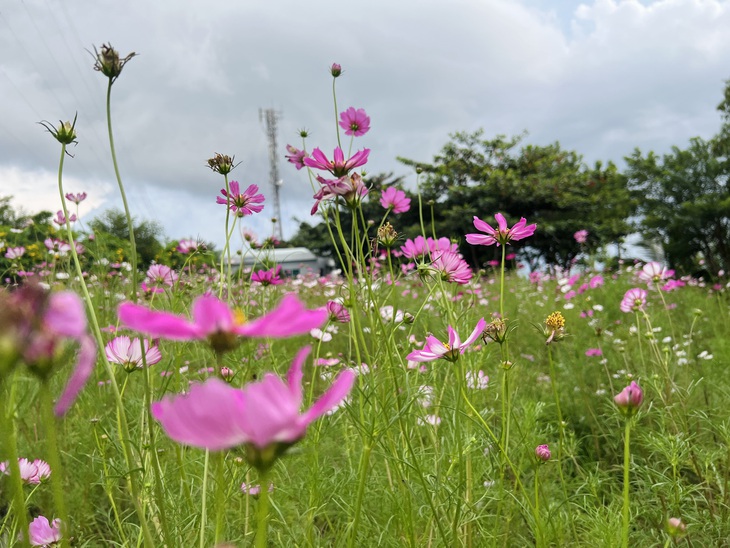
[293, 261]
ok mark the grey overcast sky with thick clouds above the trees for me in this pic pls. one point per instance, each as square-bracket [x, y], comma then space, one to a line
[600, 76]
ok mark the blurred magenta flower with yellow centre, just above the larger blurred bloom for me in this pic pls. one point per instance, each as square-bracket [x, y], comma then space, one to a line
[215, 322]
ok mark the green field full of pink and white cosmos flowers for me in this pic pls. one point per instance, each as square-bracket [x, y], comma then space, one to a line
[404, 400]
